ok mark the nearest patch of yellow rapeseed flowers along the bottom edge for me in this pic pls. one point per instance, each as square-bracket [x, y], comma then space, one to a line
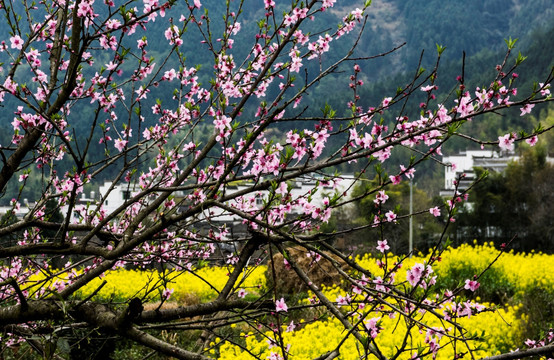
[501, 330]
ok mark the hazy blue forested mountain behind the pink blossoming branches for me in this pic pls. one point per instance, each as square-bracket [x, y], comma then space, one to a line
[476, 28]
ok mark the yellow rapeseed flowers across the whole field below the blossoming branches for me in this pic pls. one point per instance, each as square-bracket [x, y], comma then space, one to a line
[501, 329]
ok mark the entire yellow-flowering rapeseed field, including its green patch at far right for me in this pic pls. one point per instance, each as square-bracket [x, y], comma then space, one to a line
[511, 287]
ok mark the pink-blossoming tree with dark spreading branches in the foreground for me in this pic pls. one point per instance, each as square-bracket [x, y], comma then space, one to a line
[181, 156]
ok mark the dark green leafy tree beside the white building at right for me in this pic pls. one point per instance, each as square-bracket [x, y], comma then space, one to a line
[517, 203]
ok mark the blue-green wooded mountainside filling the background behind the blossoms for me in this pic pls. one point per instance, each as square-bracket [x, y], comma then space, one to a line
[394, 23]
